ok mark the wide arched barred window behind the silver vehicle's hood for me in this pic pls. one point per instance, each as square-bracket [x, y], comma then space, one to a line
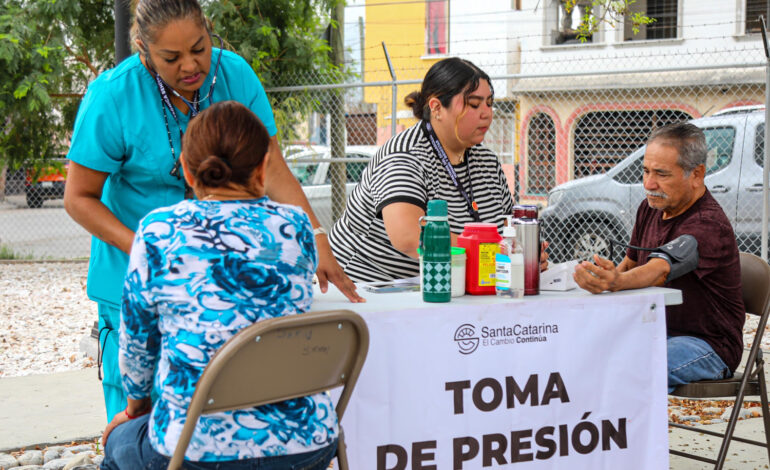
[604, 138]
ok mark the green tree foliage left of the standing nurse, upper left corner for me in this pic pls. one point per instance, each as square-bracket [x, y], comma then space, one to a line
[49, 50]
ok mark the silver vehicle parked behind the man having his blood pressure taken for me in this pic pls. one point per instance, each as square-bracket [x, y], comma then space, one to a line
[583, 215]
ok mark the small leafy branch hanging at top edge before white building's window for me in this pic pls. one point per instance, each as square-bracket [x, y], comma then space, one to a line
[610, 11]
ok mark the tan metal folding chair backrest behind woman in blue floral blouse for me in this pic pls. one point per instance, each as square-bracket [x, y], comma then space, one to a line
[279, 359]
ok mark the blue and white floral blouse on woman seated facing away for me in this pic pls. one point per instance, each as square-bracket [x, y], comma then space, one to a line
[199, 272]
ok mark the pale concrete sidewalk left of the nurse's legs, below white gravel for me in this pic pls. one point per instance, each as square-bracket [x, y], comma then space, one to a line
[51, 408]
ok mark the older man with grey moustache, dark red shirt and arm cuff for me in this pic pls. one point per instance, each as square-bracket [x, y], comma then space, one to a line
[705, 339]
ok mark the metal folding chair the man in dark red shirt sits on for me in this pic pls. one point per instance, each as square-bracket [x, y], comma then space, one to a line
[755, 277]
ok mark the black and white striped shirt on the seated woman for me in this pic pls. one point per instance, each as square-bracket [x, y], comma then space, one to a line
[407, 169]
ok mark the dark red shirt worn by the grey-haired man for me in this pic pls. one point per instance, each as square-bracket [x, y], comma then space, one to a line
[712, 306]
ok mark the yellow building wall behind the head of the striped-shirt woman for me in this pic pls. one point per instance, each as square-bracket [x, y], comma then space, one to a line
[402, 27]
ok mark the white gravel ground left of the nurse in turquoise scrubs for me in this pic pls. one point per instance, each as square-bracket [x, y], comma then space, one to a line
[44, 314]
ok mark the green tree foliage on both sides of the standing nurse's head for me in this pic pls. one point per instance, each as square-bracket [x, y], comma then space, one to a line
[51, 49]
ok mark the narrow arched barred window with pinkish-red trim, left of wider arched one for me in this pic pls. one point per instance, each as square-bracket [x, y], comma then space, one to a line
[541, 155]
